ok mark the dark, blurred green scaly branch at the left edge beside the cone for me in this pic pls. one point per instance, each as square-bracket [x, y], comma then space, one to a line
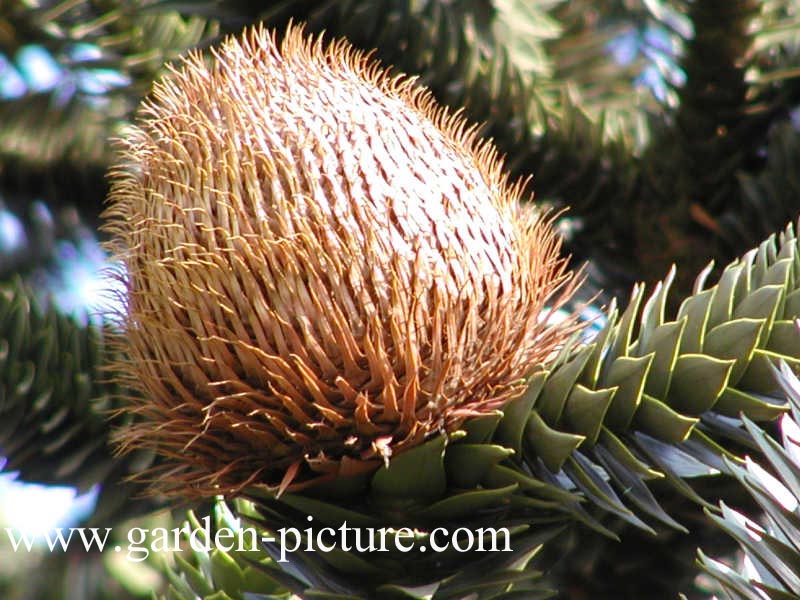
[55, 402]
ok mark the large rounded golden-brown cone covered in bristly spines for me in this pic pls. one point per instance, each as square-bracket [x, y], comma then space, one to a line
[323, 268]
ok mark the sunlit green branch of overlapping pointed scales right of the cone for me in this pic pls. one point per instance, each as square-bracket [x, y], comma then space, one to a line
[658, 398]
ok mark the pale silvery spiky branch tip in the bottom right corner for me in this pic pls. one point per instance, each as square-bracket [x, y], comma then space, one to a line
[771, 568]
